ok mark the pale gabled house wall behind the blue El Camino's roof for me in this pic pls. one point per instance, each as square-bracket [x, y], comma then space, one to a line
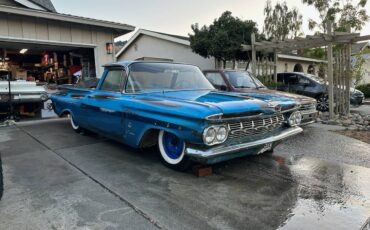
[150, 47]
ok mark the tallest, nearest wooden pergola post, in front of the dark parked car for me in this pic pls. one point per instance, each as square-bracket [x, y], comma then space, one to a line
[330, 72]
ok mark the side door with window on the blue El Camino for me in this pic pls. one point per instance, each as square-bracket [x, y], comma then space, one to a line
[104, 107]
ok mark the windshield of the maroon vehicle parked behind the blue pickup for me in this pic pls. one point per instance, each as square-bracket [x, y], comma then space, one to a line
[243, 79]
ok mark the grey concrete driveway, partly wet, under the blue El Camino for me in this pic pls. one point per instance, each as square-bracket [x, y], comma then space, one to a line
[57, 179]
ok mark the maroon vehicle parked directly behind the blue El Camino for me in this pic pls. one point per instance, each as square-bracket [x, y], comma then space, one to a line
[245, 83]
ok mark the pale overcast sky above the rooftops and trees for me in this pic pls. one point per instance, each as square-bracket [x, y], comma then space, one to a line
[176, 16]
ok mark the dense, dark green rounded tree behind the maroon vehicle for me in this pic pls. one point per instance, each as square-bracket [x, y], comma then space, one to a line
[223, 38]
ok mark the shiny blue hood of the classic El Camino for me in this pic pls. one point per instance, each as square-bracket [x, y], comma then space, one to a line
[201, 104]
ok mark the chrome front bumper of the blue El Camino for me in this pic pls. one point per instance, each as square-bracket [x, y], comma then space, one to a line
[219, 151]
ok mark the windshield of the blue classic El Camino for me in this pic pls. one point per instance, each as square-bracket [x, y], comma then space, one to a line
[149, 77]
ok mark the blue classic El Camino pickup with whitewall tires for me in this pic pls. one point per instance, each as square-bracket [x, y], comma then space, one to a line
[143, 104]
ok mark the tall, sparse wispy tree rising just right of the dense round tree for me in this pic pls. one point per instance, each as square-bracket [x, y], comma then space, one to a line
[281, 22]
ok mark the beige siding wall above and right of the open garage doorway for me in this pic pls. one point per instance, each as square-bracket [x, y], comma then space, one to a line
[15, 28]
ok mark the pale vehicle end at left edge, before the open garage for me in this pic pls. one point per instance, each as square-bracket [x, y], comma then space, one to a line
[23, 93]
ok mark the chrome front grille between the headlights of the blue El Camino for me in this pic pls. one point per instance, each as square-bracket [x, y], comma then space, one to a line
[255, 126]
